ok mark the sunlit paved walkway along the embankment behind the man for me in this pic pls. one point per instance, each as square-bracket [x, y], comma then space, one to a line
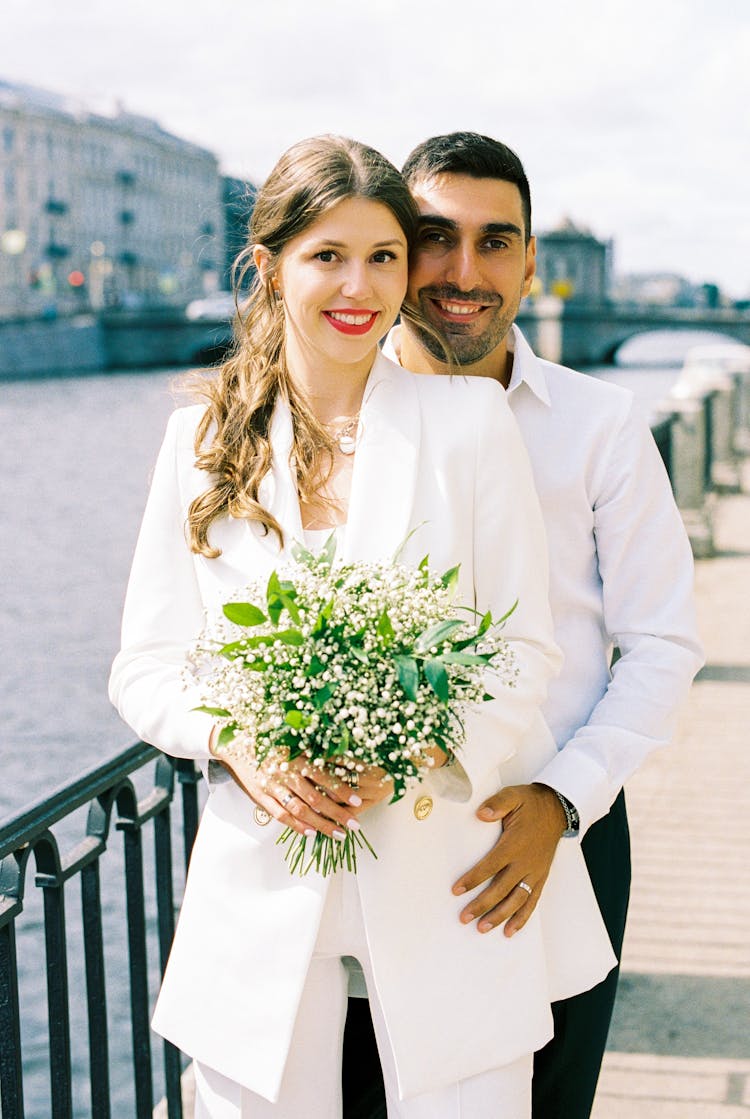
[680, 1046]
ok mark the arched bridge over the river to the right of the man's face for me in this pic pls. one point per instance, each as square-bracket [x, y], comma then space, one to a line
[588, 334]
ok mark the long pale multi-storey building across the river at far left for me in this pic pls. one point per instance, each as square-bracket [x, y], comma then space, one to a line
[101, 211]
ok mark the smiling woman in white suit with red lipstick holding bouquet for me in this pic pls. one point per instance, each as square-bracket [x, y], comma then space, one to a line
[310, 428]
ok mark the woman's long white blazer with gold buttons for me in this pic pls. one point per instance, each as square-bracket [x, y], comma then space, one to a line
[439, 450]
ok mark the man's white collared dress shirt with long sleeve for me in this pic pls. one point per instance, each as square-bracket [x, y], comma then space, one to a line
[621, 577]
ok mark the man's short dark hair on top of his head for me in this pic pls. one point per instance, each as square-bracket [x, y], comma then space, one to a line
[471, 154]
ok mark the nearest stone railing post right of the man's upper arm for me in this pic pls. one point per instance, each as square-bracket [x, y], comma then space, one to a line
[689, 469]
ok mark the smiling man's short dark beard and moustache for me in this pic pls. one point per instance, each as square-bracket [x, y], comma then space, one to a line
[456, 340]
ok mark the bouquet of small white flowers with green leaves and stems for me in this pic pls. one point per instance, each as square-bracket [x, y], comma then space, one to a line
[345, 667]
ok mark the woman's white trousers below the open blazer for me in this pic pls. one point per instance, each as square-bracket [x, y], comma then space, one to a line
[312, 1086]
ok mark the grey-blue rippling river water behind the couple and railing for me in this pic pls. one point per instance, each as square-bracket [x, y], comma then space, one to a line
[76, 458]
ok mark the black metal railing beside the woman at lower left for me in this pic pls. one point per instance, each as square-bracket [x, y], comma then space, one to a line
[110, 794]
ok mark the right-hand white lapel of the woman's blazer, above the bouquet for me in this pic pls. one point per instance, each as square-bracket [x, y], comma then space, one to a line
[386, 468]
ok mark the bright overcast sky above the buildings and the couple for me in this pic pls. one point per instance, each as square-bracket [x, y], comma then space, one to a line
[631, 116]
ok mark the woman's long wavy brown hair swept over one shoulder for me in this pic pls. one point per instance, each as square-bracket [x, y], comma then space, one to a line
[232, 439]
